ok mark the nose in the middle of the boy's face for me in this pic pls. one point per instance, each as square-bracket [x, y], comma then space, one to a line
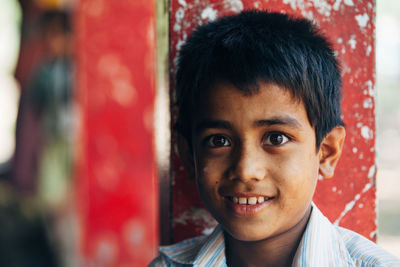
[249, 165]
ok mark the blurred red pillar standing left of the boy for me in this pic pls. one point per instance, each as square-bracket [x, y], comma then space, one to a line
[116, 170]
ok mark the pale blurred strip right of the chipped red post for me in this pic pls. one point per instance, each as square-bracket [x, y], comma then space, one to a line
[388, 123]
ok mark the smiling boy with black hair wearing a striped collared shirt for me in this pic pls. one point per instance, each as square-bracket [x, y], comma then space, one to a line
[259, 119]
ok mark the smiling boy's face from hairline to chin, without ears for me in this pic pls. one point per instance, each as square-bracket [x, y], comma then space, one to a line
[257, 149]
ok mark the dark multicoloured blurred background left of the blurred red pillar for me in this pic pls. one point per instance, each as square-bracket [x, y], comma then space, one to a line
[36, 134]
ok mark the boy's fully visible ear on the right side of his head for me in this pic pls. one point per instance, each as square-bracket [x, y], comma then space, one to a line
[330, 151]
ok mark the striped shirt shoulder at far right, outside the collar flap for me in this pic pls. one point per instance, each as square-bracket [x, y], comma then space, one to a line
[365, 252]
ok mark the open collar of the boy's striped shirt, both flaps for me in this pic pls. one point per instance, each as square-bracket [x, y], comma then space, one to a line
[321, 245]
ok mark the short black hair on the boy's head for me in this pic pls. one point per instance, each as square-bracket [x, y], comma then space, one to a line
[260, 46]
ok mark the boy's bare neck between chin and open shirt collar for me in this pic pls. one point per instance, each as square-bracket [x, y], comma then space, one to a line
[273, 251]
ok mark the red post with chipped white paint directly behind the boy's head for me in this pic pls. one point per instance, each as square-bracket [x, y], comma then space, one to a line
[349, 198]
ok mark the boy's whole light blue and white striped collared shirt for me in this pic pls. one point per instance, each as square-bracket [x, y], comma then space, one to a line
[322, 244]
